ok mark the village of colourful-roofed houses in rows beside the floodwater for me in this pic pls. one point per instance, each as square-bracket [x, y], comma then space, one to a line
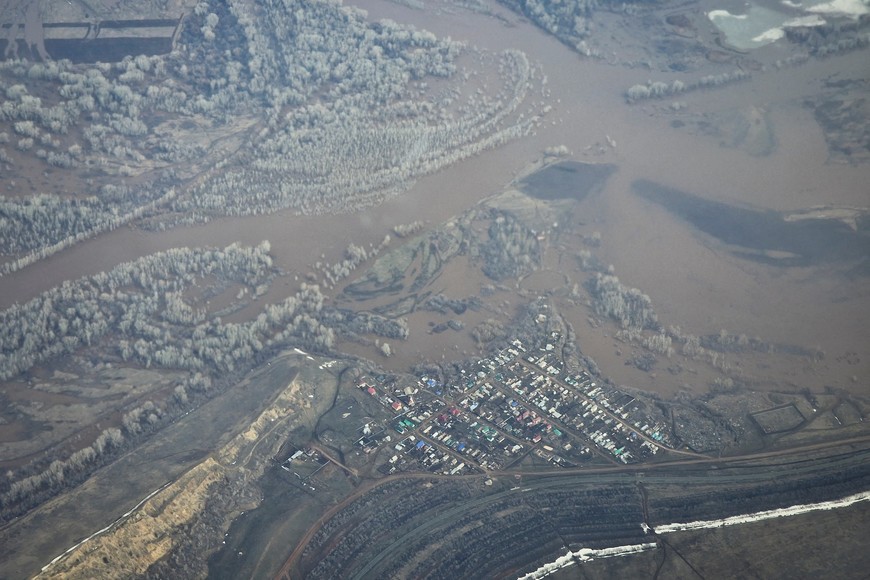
[517, 402]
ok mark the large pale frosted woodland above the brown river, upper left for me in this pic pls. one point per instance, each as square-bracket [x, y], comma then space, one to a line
[349, 116]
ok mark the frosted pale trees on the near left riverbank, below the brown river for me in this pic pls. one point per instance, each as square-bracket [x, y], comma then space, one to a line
[139, 314]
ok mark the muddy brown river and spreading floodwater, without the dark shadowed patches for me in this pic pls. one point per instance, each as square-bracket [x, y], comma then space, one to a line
[692, 283]
